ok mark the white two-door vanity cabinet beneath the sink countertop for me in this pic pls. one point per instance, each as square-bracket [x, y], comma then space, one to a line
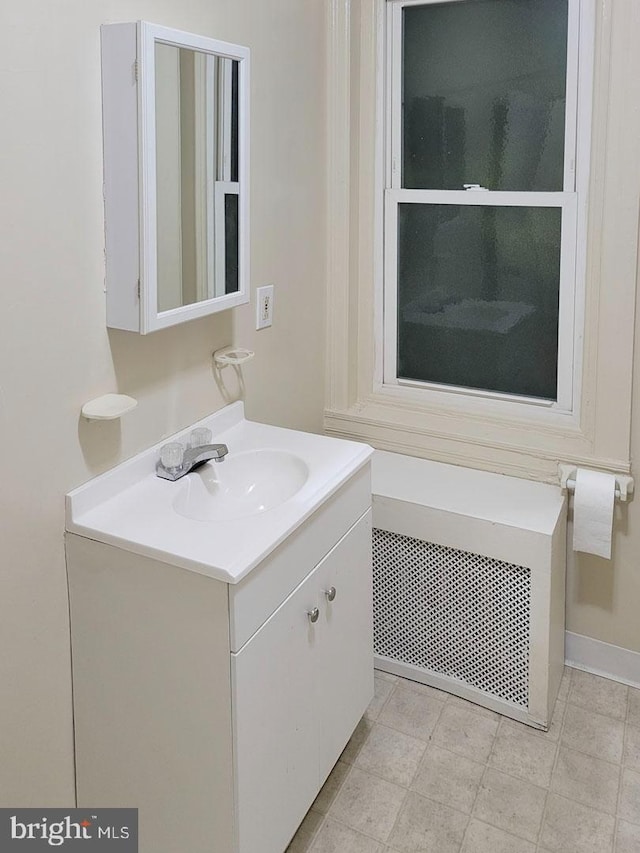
[218, 709]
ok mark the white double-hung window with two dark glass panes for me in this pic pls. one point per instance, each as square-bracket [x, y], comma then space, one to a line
[481, 208]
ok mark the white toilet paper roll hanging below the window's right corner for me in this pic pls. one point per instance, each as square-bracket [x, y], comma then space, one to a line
[593, 512]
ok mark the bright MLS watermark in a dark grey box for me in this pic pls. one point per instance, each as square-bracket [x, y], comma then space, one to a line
[104, 830]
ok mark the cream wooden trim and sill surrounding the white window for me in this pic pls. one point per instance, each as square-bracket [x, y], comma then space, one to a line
[490, 436]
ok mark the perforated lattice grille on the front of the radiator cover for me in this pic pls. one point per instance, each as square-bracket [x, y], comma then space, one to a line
[453, 613]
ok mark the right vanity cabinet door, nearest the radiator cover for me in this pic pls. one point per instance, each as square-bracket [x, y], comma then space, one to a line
[345, 661]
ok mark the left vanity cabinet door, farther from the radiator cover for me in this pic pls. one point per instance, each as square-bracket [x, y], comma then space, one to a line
[275, 724]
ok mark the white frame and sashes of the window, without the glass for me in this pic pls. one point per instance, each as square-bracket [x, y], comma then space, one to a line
[571, 200]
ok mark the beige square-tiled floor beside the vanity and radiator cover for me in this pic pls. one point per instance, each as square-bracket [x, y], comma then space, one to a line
[426, 772]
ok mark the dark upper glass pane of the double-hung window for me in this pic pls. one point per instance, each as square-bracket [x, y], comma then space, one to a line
[484, 94]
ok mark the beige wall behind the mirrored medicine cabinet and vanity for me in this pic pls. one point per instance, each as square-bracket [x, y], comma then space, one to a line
[55, 352]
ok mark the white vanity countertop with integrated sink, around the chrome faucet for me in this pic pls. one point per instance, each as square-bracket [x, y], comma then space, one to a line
[224, 518]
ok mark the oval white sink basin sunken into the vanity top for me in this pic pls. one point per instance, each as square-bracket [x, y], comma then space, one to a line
[244, 484]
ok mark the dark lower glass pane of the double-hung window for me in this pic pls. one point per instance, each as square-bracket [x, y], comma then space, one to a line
[478, 292]
